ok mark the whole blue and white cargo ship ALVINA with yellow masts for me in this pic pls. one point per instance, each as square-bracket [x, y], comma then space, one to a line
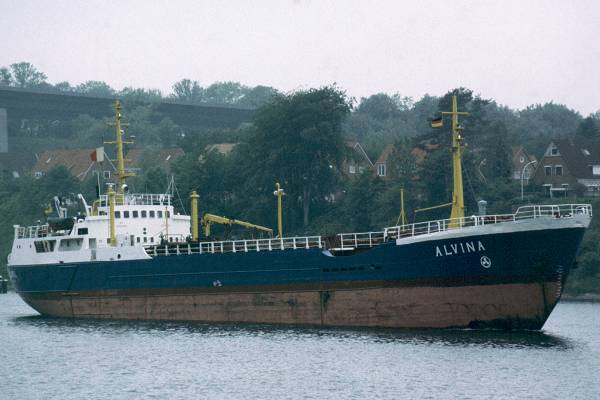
[133, 257]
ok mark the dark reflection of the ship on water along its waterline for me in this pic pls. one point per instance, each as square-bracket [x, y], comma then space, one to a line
[459, 338]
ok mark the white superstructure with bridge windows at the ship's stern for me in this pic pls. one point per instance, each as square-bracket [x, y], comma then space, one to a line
[140, 220]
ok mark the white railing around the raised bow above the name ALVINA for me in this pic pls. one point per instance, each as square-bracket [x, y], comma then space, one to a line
[522, 213]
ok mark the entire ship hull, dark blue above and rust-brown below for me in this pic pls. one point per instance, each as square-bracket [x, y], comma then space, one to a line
[501, 280]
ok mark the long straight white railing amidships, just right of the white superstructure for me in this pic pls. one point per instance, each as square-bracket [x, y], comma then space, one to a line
[237, 246]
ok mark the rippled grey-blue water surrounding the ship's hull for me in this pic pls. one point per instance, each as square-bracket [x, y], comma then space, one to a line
[44, 358]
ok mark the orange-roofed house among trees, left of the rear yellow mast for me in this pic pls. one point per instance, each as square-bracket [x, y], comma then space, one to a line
[77, 161]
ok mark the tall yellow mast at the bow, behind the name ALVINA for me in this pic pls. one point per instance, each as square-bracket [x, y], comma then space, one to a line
[458, 201]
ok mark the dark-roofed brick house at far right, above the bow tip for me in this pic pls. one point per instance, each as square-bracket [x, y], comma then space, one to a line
[568, 164]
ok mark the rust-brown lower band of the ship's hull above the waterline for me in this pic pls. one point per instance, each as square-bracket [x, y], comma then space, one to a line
[506, 306]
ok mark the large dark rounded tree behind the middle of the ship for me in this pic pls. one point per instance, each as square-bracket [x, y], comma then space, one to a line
[298, 142]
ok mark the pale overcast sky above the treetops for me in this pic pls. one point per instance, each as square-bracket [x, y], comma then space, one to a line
[516, 52]
